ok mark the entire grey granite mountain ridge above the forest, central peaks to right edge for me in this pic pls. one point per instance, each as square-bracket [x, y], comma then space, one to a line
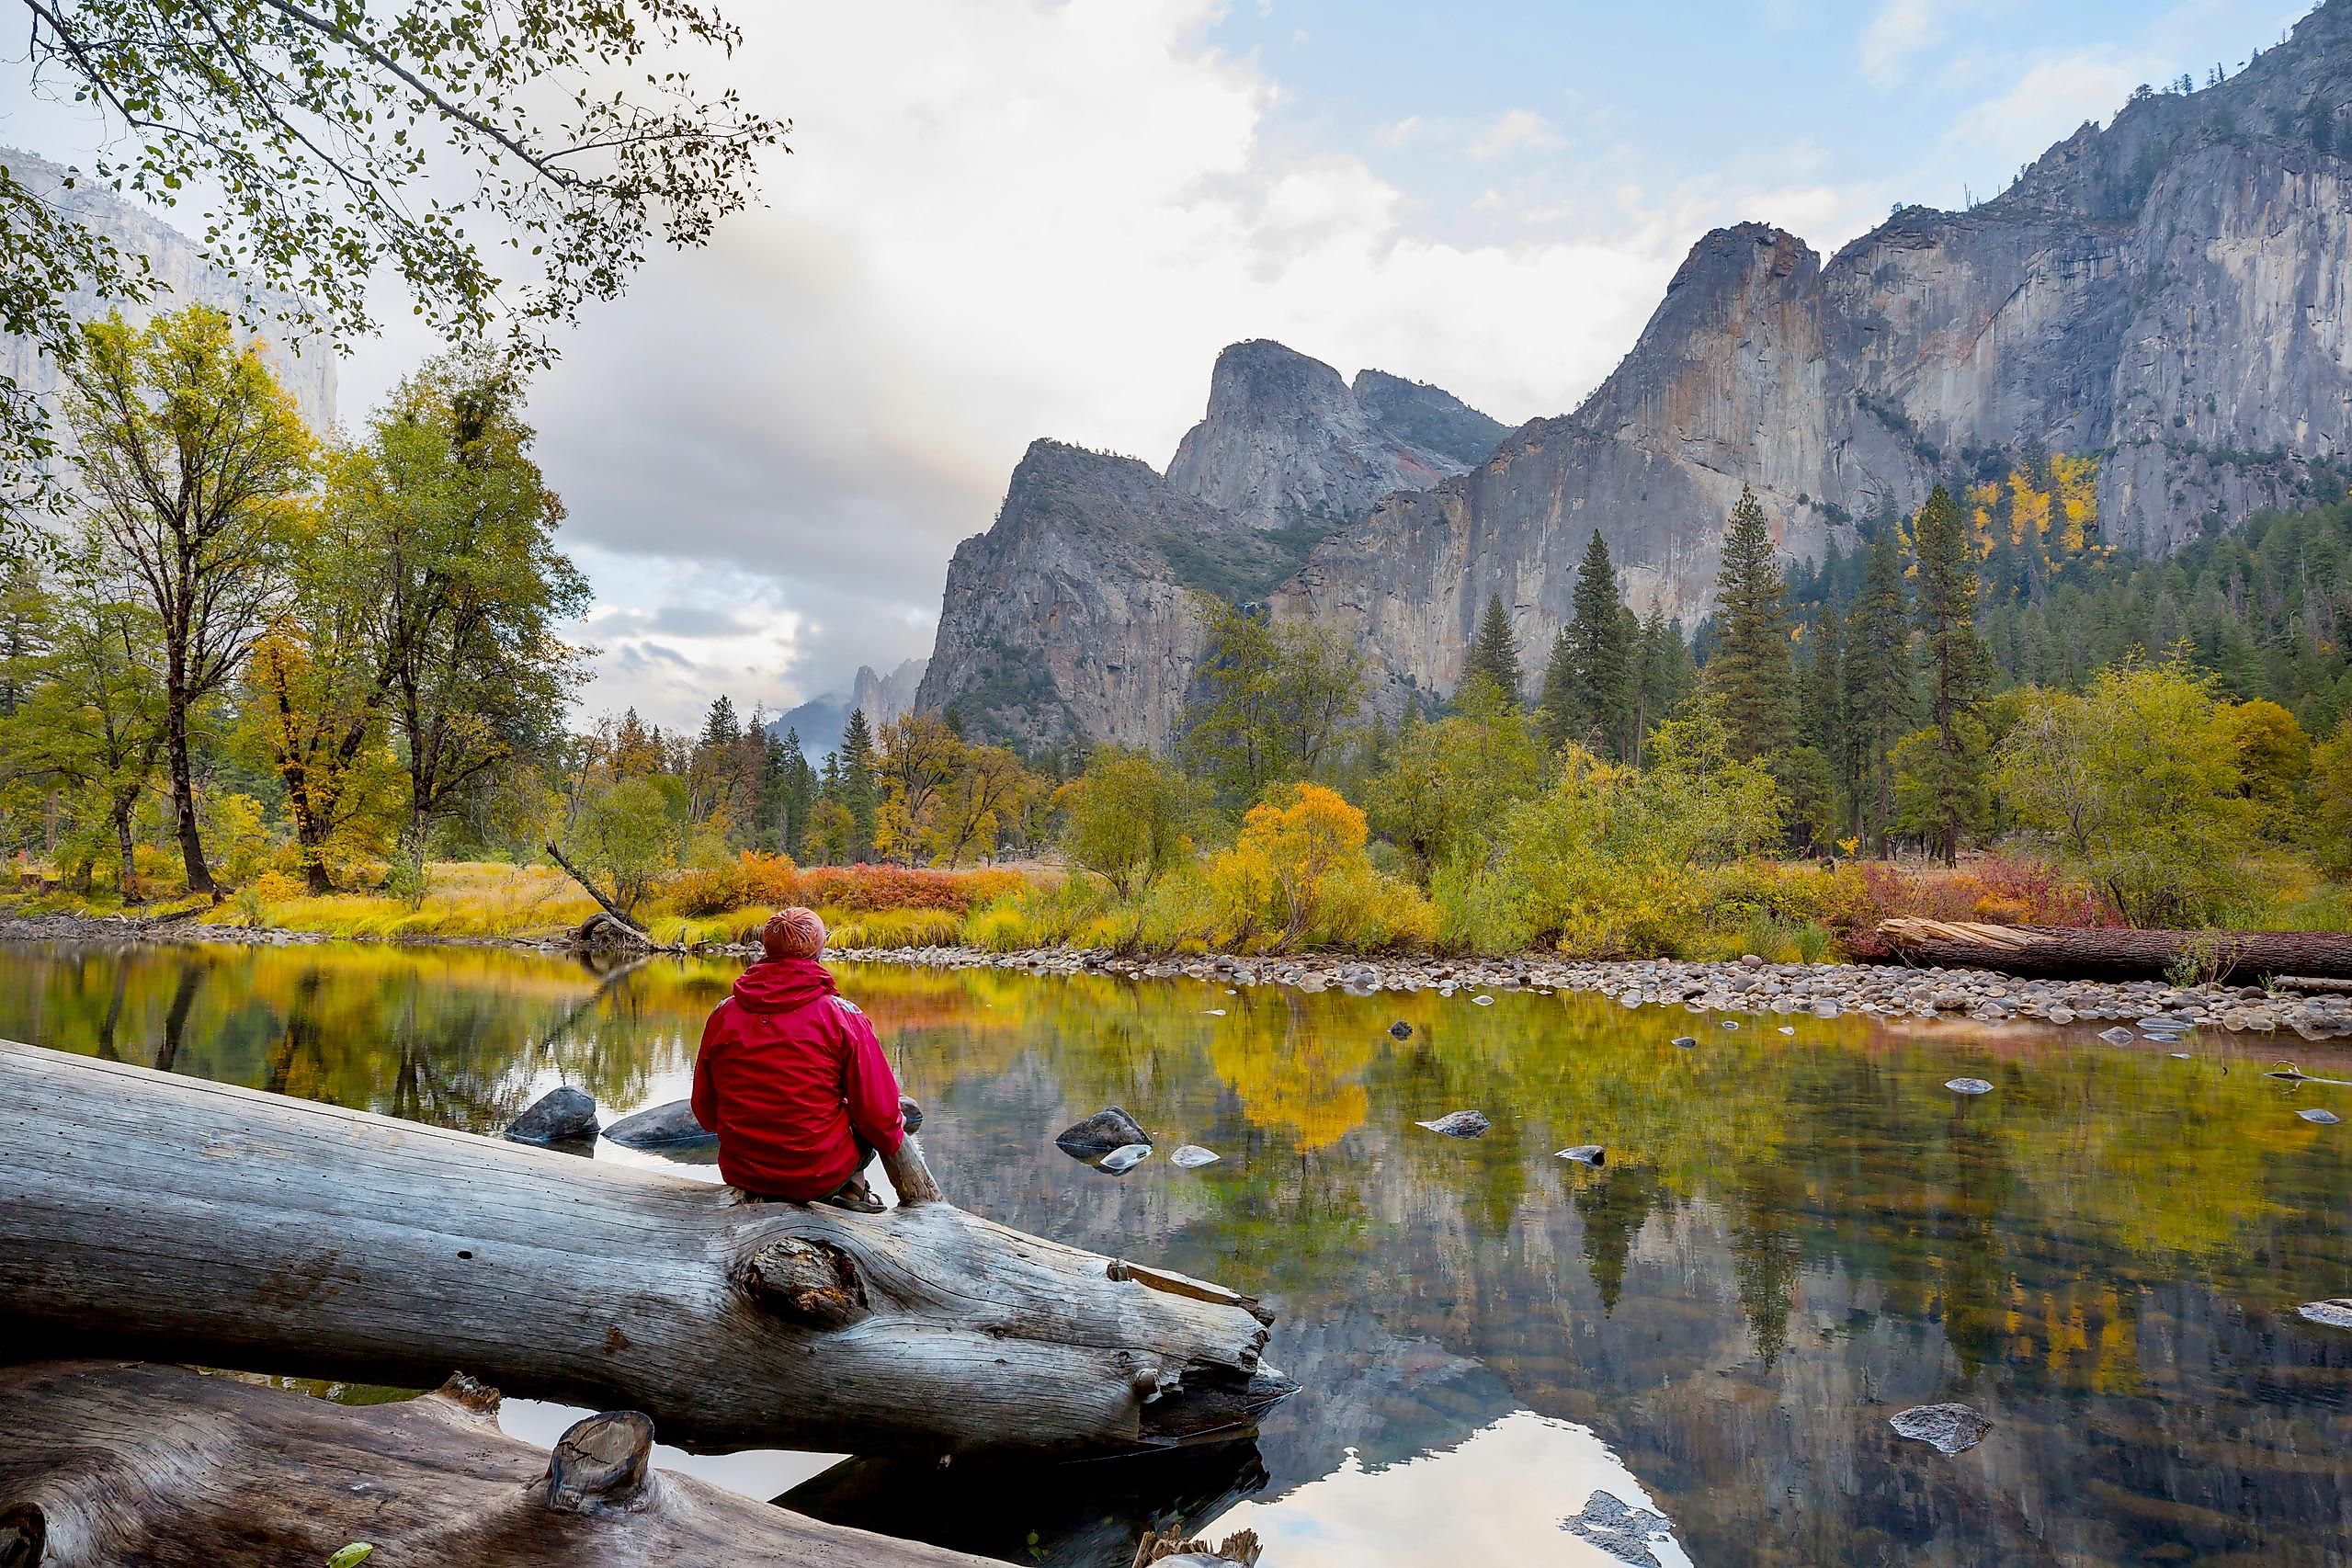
[2170, 295]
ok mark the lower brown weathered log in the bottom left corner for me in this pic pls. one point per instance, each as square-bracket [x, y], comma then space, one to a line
[159, 1466]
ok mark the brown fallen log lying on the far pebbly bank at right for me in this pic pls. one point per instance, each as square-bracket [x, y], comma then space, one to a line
[2094, 953]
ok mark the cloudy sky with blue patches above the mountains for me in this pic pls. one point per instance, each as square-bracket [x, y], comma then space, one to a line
[1013, 220]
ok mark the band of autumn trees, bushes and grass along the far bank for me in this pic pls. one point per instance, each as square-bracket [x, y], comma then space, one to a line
[1970, 713]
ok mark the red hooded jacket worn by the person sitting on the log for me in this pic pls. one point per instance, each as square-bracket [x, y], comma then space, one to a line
[791, 1078]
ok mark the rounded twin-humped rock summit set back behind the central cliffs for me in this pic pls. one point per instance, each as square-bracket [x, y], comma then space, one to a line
[1288, 443]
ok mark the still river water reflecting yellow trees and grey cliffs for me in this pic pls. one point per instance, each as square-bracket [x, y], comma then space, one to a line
[1793, 1238]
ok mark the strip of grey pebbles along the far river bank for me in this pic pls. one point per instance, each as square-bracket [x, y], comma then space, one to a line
[1746, 986]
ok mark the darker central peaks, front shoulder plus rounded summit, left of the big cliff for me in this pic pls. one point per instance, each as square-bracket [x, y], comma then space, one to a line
[1078, 612]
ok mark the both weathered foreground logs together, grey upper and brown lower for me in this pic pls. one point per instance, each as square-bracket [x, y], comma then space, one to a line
[149, 1219]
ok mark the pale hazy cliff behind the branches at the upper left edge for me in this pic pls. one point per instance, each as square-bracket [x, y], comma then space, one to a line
[185, 276]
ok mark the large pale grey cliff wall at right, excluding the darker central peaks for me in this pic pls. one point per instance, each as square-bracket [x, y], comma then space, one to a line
[2167, 293]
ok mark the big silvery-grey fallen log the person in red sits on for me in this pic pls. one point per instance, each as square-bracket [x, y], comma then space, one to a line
[171, 1219]
